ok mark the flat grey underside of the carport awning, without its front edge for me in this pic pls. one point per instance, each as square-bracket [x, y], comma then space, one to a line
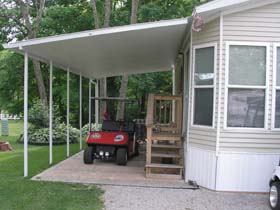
[114, 54]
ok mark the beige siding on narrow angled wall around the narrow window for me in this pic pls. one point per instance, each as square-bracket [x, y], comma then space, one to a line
[205, 137]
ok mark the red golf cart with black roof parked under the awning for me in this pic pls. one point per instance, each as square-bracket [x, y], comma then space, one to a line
[116, 141]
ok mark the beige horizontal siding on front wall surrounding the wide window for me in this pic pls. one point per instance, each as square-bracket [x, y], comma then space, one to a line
[255, 25]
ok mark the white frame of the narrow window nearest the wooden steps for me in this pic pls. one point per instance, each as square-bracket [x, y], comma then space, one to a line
[195, 47]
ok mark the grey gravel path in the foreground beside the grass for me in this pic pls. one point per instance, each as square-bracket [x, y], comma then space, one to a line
[137, 198]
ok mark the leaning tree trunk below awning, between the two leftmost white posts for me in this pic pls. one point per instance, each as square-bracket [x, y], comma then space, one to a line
[40, 82]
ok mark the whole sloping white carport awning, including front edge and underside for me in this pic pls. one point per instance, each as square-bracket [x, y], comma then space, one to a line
[132, 49]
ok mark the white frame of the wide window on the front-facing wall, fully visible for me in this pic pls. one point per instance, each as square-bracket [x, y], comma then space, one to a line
[265, 87]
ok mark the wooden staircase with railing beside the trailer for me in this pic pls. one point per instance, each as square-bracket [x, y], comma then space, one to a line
[164, 158]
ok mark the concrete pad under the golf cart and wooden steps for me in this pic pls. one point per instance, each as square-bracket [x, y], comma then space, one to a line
[74, 170]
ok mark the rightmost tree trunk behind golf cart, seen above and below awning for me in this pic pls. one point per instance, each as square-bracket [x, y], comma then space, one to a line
[123, 89]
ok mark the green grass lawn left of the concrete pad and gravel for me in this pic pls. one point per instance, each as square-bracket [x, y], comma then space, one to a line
[18, 193]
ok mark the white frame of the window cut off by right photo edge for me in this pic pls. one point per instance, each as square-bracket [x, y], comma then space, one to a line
[274, 87]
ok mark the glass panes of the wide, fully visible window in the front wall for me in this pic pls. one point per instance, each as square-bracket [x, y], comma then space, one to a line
[246, 86]
